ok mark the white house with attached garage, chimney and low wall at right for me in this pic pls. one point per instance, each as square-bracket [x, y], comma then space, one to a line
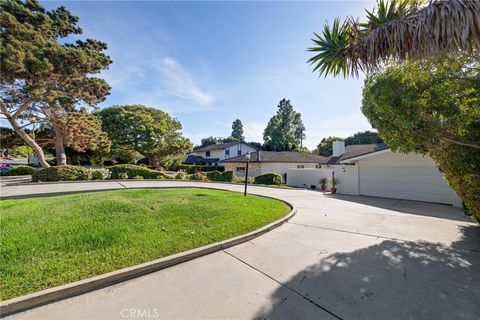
[375, 170]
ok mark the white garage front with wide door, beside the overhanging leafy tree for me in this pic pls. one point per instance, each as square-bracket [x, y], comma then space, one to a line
[400, 176]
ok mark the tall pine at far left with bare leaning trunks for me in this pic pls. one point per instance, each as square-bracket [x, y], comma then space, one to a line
[43, 76]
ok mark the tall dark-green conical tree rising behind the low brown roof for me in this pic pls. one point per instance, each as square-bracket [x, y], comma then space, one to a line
[285, 130]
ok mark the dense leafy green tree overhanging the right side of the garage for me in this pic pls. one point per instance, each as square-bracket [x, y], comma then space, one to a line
[432, 107]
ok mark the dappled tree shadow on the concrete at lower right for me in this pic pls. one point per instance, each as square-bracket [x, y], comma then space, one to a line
[389, 280]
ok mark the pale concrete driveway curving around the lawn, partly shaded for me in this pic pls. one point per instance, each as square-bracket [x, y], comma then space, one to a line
[340, 257]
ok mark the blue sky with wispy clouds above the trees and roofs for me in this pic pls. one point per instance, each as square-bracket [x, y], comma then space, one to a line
[209, 63]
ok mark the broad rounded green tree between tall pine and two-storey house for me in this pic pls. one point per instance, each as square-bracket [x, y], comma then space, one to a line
[149, 131]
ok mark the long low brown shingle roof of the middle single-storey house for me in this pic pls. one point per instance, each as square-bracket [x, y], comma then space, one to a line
[279, 156]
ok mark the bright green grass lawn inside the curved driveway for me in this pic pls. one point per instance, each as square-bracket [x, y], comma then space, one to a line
[55, 240]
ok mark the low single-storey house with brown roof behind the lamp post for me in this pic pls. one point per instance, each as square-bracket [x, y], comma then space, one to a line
[272, 162]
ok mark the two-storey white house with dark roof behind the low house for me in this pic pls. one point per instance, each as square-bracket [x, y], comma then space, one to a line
[214, 154]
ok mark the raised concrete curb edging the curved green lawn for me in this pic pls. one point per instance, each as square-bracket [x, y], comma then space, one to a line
[50, 295]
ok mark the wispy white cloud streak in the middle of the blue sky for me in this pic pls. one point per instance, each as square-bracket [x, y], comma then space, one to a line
[180, 83]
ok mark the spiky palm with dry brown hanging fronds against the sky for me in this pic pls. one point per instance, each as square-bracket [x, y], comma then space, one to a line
[397, 30]
